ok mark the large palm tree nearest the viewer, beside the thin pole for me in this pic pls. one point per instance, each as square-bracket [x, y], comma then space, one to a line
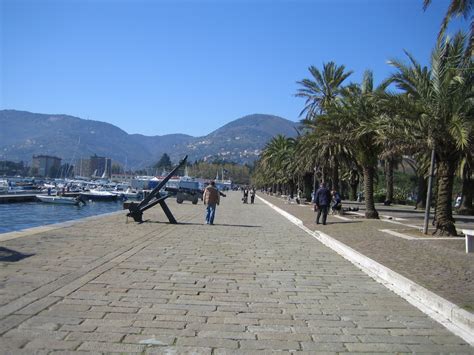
[445, 96]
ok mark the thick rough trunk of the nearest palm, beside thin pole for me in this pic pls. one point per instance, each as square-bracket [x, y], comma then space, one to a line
[444, 212]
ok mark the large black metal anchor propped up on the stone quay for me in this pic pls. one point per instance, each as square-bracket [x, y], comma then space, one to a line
[136, 209]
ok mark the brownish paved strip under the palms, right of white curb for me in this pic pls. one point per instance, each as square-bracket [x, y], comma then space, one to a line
[440, 265]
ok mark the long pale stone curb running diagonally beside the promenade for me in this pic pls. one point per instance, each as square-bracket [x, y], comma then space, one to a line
[451, 316]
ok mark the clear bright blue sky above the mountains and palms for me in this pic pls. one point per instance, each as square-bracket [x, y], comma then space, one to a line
[158, 67]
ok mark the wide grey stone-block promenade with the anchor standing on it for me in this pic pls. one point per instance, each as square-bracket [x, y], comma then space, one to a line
[252, 283]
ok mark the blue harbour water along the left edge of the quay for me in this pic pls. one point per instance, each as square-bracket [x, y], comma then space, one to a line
[18, 216]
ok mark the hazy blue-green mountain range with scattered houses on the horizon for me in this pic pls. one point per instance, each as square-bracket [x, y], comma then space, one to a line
[24, 134]
